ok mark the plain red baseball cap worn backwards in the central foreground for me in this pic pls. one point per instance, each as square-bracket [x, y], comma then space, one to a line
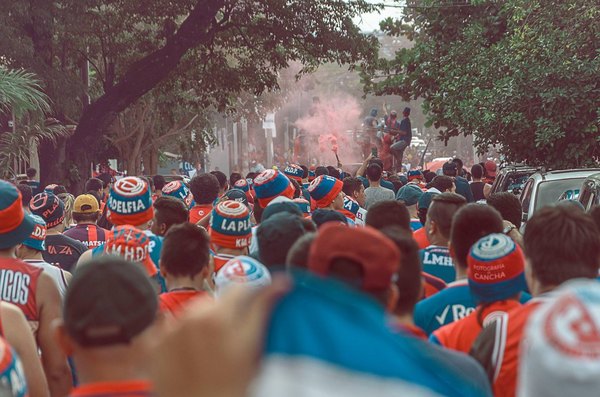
[376, 254]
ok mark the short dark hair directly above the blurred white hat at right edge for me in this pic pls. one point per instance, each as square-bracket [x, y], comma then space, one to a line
[562, 244]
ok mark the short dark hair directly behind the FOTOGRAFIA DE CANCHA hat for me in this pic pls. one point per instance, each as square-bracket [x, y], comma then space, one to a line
[472, 222]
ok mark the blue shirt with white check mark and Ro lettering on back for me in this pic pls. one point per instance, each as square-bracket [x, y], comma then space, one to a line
[449, 305]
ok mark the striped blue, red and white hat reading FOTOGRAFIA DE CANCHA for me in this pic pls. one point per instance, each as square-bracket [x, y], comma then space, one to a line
[495, 268]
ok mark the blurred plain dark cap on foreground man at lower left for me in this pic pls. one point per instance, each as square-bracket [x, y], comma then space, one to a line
[109, 302]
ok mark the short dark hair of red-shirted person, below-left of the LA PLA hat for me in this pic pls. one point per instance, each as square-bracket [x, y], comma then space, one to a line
[185, 250]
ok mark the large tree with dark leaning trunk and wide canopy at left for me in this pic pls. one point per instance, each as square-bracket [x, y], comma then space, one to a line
[218, 48]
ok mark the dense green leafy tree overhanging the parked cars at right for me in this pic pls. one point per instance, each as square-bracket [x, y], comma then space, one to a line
[522, 75]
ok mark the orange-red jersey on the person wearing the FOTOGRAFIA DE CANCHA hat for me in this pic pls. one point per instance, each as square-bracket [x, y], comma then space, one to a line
[461, 334]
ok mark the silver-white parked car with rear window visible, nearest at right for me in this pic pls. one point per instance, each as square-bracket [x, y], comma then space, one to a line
[547, 187]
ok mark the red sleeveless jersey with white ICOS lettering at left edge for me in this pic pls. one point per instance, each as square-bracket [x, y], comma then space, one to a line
[18, 284]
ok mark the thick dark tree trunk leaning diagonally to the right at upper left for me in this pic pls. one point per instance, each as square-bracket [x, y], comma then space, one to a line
[198, 28]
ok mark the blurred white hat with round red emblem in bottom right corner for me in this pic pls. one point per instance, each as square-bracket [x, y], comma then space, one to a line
[560, 351]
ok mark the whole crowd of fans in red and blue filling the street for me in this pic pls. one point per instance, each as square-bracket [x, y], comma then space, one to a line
[301, 281]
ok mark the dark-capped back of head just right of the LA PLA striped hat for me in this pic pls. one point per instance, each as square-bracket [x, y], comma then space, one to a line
[276, 236]
